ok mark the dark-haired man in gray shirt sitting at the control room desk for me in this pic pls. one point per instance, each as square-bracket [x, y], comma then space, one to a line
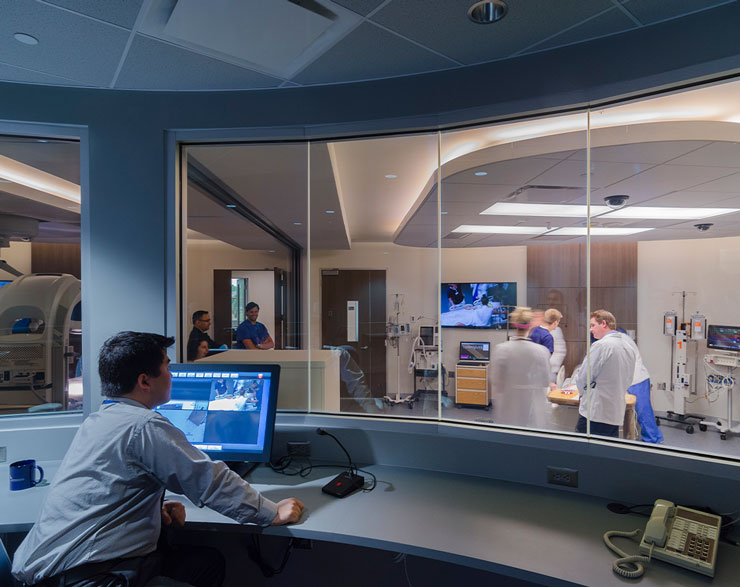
[101, 520]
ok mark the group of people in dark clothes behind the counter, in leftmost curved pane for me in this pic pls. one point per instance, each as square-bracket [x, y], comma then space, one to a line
[250, 334]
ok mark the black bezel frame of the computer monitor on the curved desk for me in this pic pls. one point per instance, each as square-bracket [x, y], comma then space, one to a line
[252, 456]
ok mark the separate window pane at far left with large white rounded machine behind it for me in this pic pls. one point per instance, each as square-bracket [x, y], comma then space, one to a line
[40, 288]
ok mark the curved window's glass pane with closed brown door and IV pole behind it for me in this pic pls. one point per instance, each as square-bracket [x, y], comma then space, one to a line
[374, 273]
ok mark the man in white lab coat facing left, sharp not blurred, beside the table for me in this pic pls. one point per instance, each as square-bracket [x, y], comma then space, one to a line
[612, 370]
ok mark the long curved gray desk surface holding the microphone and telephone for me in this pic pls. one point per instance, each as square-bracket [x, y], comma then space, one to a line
[542, 535]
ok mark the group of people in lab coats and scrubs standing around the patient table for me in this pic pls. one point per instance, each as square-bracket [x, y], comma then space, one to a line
[525, 367]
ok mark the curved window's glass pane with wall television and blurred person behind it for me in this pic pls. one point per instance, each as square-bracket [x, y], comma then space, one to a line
[513, 282]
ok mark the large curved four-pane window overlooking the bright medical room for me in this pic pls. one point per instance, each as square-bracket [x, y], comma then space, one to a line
[455, 275]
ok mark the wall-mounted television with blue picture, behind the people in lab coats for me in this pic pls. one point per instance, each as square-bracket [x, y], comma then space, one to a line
[477, 305]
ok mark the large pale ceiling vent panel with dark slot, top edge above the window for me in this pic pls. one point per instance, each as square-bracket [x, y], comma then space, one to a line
[277, 37]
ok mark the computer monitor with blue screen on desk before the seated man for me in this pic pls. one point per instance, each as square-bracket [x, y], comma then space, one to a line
[226, 410]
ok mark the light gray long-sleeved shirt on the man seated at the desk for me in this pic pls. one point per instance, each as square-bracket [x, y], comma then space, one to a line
[105, 500]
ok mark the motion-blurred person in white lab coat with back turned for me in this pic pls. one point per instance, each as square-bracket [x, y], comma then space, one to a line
[520, 377]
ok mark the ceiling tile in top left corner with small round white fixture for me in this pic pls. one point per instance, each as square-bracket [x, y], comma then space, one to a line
[69, 46]
